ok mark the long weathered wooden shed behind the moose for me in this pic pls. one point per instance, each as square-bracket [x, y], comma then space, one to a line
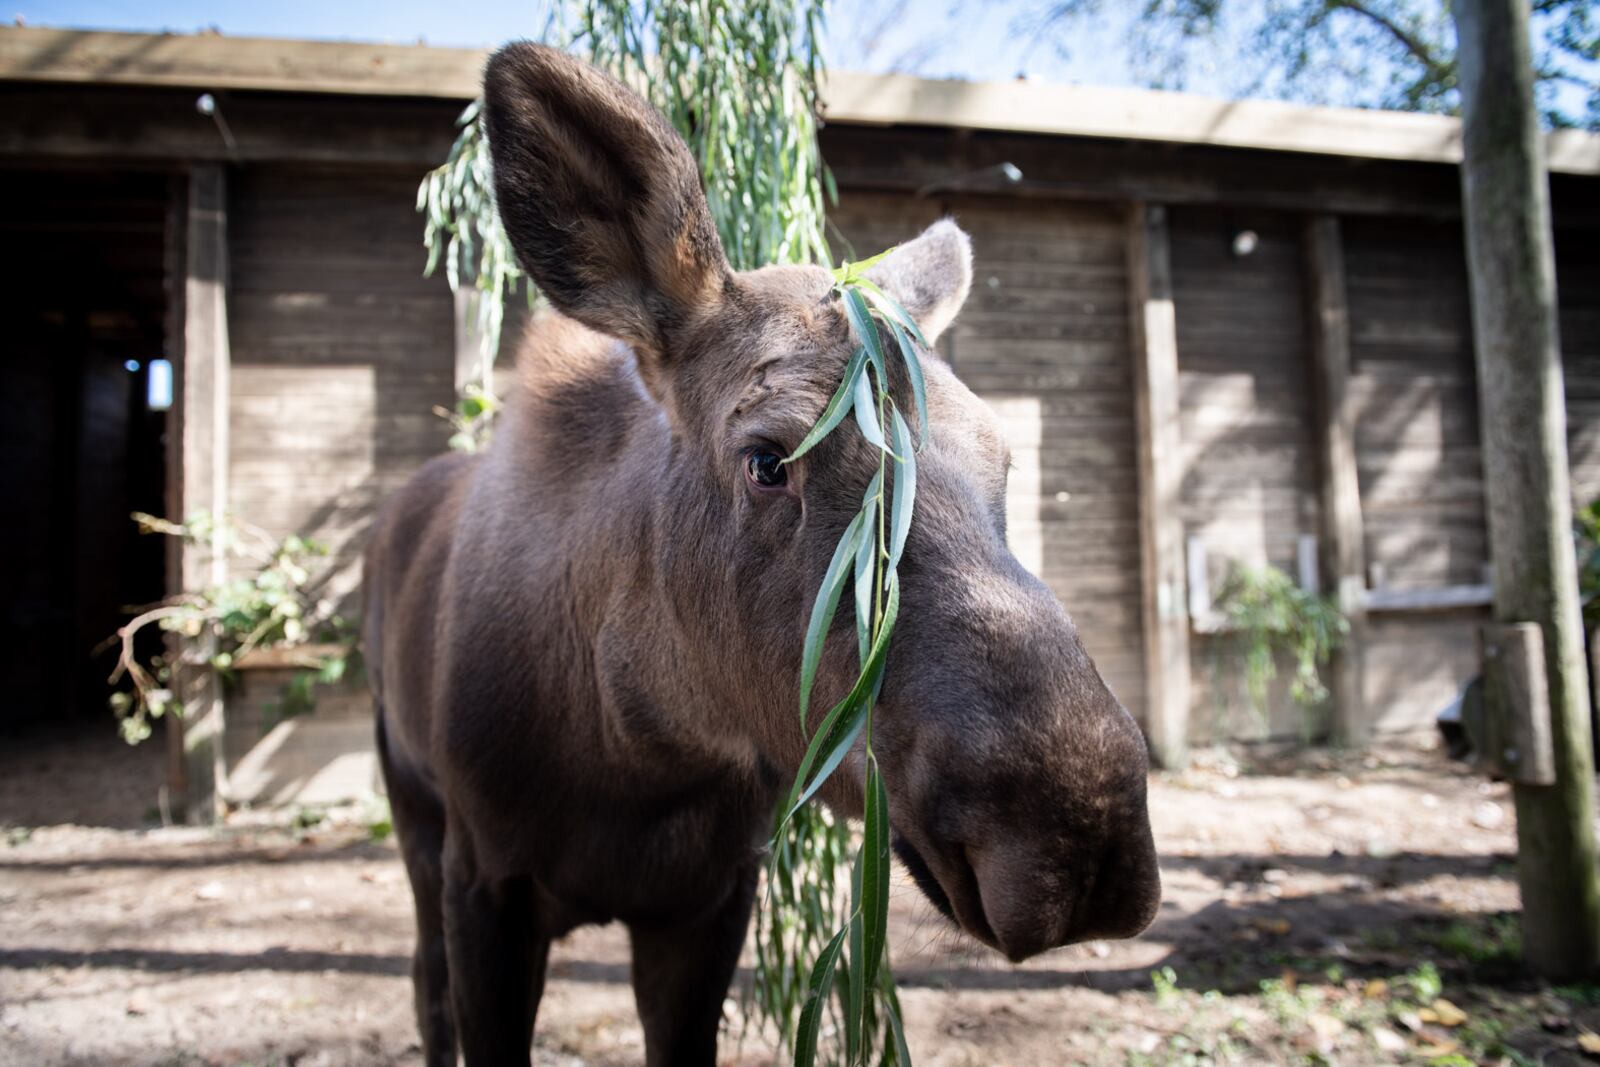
[1218, 332]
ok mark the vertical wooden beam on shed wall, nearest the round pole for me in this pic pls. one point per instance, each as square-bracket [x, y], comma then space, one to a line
[1342, 526]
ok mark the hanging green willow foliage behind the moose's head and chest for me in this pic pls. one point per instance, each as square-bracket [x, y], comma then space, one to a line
[738, 79]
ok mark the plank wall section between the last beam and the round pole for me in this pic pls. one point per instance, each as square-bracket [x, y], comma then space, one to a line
[1420, 466]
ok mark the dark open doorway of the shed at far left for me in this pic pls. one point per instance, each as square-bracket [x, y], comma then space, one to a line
[87, 378]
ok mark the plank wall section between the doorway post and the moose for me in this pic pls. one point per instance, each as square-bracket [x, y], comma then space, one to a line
[342, 350]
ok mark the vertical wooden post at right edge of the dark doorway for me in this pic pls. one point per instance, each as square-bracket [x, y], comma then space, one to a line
[204, 398]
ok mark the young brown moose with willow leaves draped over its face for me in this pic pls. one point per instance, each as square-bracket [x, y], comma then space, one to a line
[586, 642]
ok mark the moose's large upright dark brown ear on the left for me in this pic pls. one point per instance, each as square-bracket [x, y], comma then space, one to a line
[601, 199]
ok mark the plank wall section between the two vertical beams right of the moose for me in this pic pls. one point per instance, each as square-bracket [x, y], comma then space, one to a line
[1244, 367]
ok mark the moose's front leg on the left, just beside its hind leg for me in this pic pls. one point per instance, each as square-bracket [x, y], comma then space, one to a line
[497, 965]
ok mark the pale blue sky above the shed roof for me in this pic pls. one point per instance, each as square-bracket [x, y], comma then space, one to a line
[966, 39]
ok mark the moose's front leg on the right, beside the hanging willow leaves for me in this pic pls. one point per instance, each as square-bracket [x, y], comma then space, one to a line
[682, 975]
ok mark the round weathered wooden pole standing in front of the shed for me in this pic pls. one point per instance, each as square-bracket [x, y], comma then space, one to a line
[1522, 402]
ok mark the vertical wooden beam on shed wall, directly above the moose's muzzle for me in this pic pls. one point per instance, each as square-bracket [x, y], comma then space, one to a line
[1164, 605]
